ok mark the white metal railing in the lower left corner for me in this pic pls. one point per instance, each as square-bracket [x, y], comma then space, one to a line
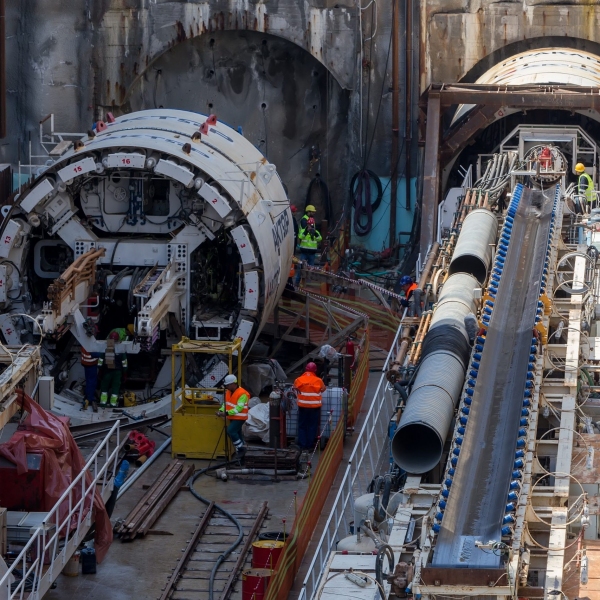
[66, 524]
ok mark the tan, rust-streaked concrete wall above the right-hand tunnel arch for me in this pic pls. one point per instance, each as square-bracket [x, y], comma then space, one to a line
[465, 38]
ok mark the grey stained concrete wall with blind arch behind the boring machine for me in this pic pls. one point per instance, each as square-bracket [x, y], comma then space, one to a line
[80, 58]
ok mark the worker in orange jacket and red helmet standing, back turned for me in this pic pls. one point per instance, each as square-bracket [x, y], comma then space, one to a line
[309, 389]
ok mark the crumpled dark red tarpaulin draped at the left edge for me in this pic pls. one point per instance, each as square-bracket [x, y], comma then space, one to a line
[45, 433]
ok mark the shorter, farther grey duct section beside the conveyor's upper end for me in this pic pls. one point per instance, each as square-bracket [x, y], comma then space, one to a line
[473, 253]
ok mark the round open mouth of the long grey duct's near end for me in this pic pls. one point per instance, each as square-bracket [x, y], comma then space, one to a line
[416, 448]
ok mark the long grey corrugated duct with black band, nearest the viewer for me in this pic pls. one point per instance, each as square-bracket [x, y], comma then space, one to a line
[419, 439]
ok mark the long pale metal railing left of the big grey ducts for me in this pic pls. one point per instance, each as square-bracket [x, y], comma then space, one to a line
[362, 467]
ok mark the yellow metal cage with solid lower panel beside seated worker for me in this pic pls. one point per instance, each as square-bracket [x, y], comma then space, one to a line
[196, 429]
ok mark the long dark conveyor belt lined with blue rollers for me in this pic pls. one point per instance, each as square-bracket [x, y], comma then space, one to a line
[479, 490]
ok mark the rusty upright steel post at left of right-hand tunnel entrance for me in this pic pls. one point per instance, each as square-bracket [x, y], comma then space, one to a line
[431, 176]
